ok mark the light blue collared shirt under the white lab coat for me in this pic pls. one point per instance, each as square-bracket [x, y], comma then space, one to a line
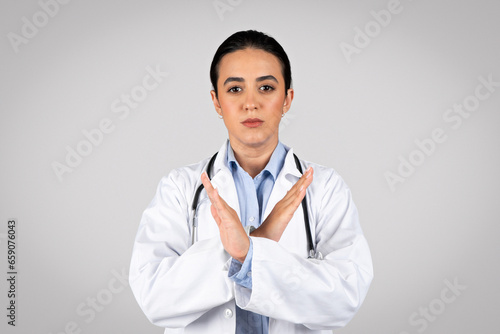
[253, 195]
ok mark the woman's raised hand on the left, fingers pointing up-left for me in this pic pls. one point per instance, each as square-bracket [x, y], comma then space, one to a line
[232, 234]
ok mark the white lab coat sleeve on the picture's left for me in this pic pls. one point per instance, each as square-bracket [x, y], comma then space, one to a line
[173, 282]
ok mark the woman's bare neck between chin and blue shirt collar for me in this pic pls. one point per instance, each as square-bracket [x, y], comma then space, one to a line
[253, 159]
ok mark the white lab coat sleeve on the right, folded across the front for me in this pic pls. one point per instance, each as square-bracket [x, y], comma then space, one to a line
[320, 294]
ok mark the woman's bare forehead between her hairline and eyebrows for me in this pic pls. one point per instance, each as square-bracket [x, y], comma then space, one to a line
[249, 63]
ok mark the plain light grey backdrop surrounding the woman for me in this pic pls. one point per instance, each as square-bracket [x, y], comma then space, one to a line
[357, 117]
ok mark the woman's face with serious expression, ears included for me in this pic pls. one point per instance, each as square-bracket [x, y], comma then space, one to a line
[251, 97]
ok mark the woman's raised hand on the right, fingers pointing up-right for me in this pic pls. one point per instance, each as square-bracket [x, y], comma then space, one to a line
[276, 222]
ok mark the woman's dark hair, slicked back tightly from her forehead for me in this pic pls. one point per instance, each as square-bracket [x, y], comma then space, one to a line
[251, 39]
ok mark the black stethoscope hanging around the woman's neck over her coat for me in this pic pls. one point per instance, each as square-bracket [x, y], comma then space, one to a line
[310, 245]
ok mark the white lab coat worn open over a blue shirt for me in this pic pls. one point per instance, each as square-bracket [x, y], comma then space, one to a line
[185, 288]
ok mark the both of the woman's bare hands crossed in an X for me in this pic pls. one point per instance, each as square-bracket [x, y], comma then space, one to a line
[232, 233]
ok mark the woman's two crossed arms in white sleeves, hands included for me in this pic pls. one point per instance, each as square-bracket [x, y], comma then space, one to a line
[165, 269]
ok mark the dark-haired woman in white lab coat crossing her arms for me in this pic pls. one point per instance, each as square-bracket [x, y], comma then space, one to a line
[244, 265]
